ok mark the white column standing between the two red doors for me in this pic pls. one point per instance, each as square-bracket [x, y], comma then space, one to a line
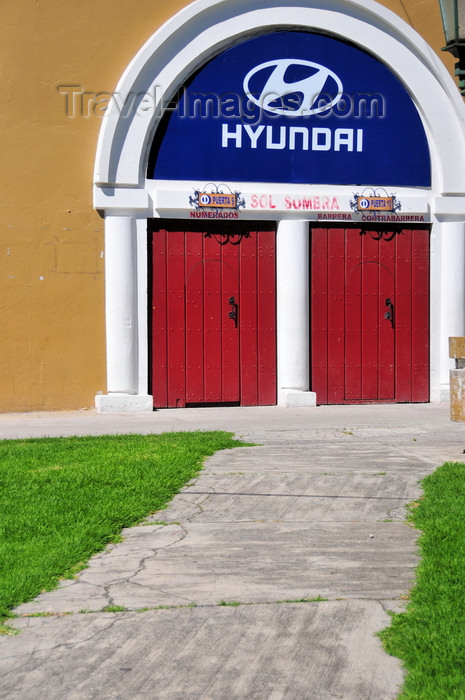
[292, 261]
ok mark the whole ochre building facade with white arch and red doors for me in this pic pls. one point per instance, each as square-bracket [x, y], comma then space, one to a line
[278, 205]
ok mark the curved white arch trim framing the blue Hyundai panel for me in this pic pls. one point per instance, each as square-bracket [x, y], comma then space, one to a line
[207, 27]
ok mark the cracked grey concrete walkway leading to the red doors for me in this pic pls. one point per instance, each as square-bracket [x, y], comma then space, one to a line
[315, 511]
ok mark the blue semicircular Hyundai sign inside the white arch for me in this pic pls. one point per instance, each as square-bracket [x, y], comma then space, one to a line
[293, 107]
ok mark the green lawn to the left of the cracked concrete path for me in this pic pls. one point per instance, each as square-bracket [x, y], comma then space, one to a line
[64, 499]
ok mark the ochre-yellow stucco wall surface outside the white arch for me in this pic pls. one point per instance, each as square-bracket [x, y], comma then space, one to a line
[52, 347]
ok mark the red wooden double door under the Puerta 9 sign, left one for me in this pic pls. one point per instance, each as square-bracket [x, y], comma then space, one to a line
[214, 313]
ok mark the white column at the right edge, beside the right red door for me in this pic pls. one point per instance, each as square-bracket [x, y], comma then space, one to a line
[447, 300]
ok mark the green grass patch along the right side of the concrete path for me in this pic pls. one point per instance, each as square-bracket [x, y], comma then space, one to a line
[430, 635]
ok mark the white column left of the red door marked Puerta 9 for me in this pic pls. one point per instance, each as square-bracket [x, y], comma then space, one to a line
[121, 318]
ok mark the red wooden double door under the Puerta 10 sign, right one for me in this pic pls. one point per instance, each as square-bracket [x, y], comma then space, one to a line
[370, 315]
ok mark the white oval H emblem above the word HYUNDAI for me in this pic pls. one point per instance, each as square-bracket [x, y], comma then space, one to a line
[293, 87]
